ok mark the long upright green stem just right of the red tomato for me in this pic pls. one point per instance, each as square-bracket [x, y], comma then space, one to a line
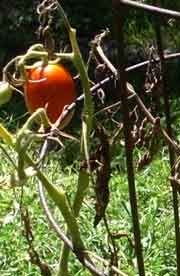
[83, 182]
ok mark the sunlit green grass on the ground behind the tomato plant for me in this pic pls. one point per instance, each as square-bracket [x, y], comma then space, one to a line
[155, 212]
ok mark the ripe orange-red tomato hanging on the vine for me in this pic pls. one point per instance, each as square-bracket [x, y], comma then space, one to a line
[51, 87]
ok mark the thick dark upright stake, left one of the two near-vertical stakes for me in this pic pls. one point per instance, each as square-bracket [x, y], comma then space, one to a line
[122, 89]
